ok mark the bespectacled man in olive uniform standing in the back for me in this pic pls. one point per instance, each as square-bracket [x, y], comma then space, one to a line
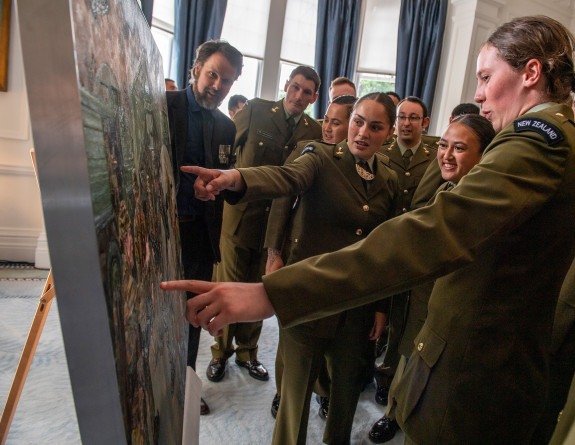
[410, 157]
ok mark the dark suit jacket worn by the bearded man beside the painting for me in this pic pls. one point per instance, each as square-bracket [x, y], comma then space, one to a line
[223, 133]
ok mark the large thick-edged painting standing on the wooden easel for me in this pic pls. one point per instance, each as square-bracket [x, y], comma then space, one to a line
[99, 120]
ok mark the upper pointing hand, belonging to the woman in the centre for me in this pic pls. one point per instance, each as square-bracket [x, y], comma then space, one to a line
[210, 183]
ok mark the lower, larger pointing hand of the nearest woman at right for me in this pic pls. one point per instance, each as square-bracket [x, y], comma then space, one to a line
[219, 304]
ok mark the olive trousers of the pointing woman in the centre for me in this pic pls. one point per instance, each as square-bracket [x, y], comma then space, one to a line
[346, 354]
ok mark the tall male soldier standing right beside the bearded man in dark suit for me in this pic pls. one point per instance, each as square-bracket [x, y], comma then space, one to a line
[266, 133]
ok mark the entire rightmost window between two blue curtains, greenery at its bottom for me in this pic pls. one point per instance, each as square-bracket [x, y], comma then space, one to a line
[378, 47]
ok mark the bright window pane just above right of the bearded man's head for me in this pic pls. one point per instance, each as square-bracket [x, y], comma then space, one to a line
[245, 25]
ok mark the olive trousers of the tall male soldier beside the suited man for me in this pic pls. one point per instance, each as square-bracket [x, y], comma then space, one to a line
[244, 265]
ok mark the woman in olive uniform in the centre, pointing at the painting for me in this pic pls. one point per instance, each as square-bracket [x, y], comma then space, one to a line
[345, 192]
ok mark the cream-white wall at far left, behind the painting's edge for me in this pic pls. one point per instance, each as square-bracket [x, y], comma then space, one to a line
[21, 221]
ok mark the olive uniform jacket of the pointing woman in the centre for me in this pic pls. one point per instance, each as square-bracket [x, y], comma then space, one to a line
[335, 210]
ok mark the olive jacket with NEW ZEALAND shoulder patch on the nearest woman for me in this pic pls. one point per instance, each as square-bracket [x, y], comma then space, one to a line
[499, 245]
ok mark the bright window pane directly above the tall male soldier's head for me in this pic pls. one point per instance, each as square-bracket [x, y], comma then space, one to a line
[298, 43]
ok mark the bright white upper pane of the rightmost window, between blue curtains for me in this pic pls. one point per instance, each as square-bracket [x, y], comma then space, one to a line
[378, 48]
